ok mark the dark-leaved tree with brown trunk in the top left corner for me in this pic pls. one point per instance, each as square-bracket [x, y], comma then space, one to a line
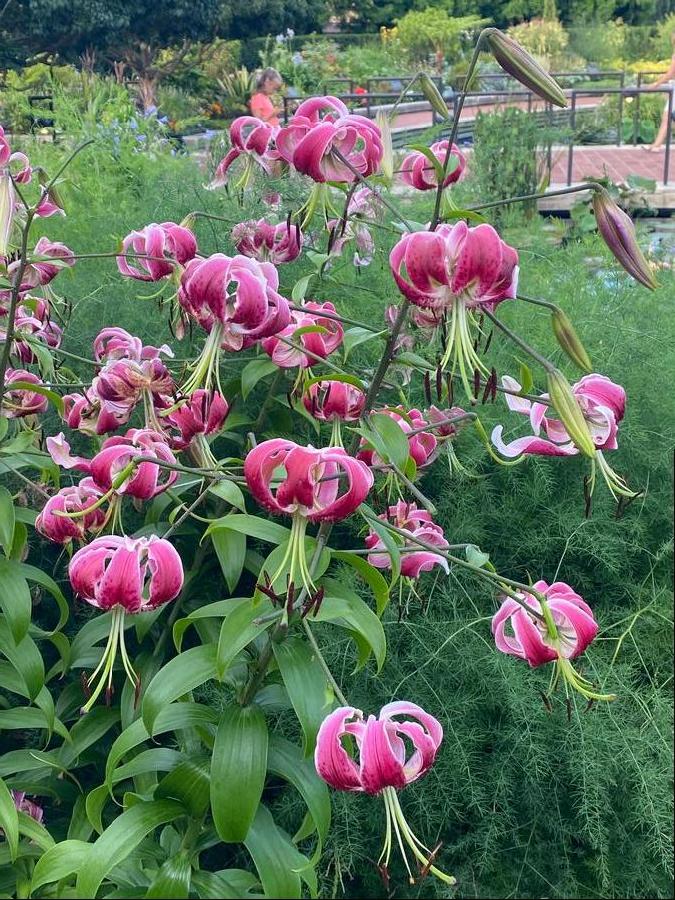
[133, 31]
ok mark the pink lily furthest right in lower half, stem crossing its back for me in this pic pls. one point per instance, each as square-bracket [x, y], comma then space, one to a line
[558, 630]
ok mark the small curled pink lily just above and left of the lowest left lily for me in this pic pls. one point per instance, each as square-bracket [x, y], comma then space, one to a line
[78, 498]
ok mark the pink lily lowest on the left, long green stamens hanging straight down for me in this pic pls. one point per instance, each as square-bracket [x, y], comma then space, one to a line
[124, 575]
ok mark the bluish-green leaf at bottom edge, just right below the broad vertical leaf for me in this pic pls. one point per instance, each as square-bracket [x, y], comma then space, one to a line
[276, 859]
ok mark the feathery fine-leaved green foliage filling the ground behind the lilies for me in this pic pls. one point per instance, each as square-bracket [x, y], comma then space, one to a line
[527, 803]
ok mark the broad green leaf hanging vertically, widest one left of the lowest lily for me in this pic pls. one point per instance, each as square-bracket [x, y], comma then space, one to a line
[238, 768]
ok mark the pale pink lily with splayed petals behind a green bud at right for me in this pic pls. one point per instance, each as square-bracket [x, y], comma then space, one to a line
[603, 404]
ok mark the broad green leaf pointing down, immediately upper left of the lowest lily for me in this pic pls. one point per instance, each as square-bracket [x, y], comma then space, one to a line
[306, 684]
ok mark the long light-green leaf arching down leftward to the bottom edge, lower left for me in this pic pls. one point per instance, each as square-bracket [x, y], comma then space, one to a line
[120, 839]
